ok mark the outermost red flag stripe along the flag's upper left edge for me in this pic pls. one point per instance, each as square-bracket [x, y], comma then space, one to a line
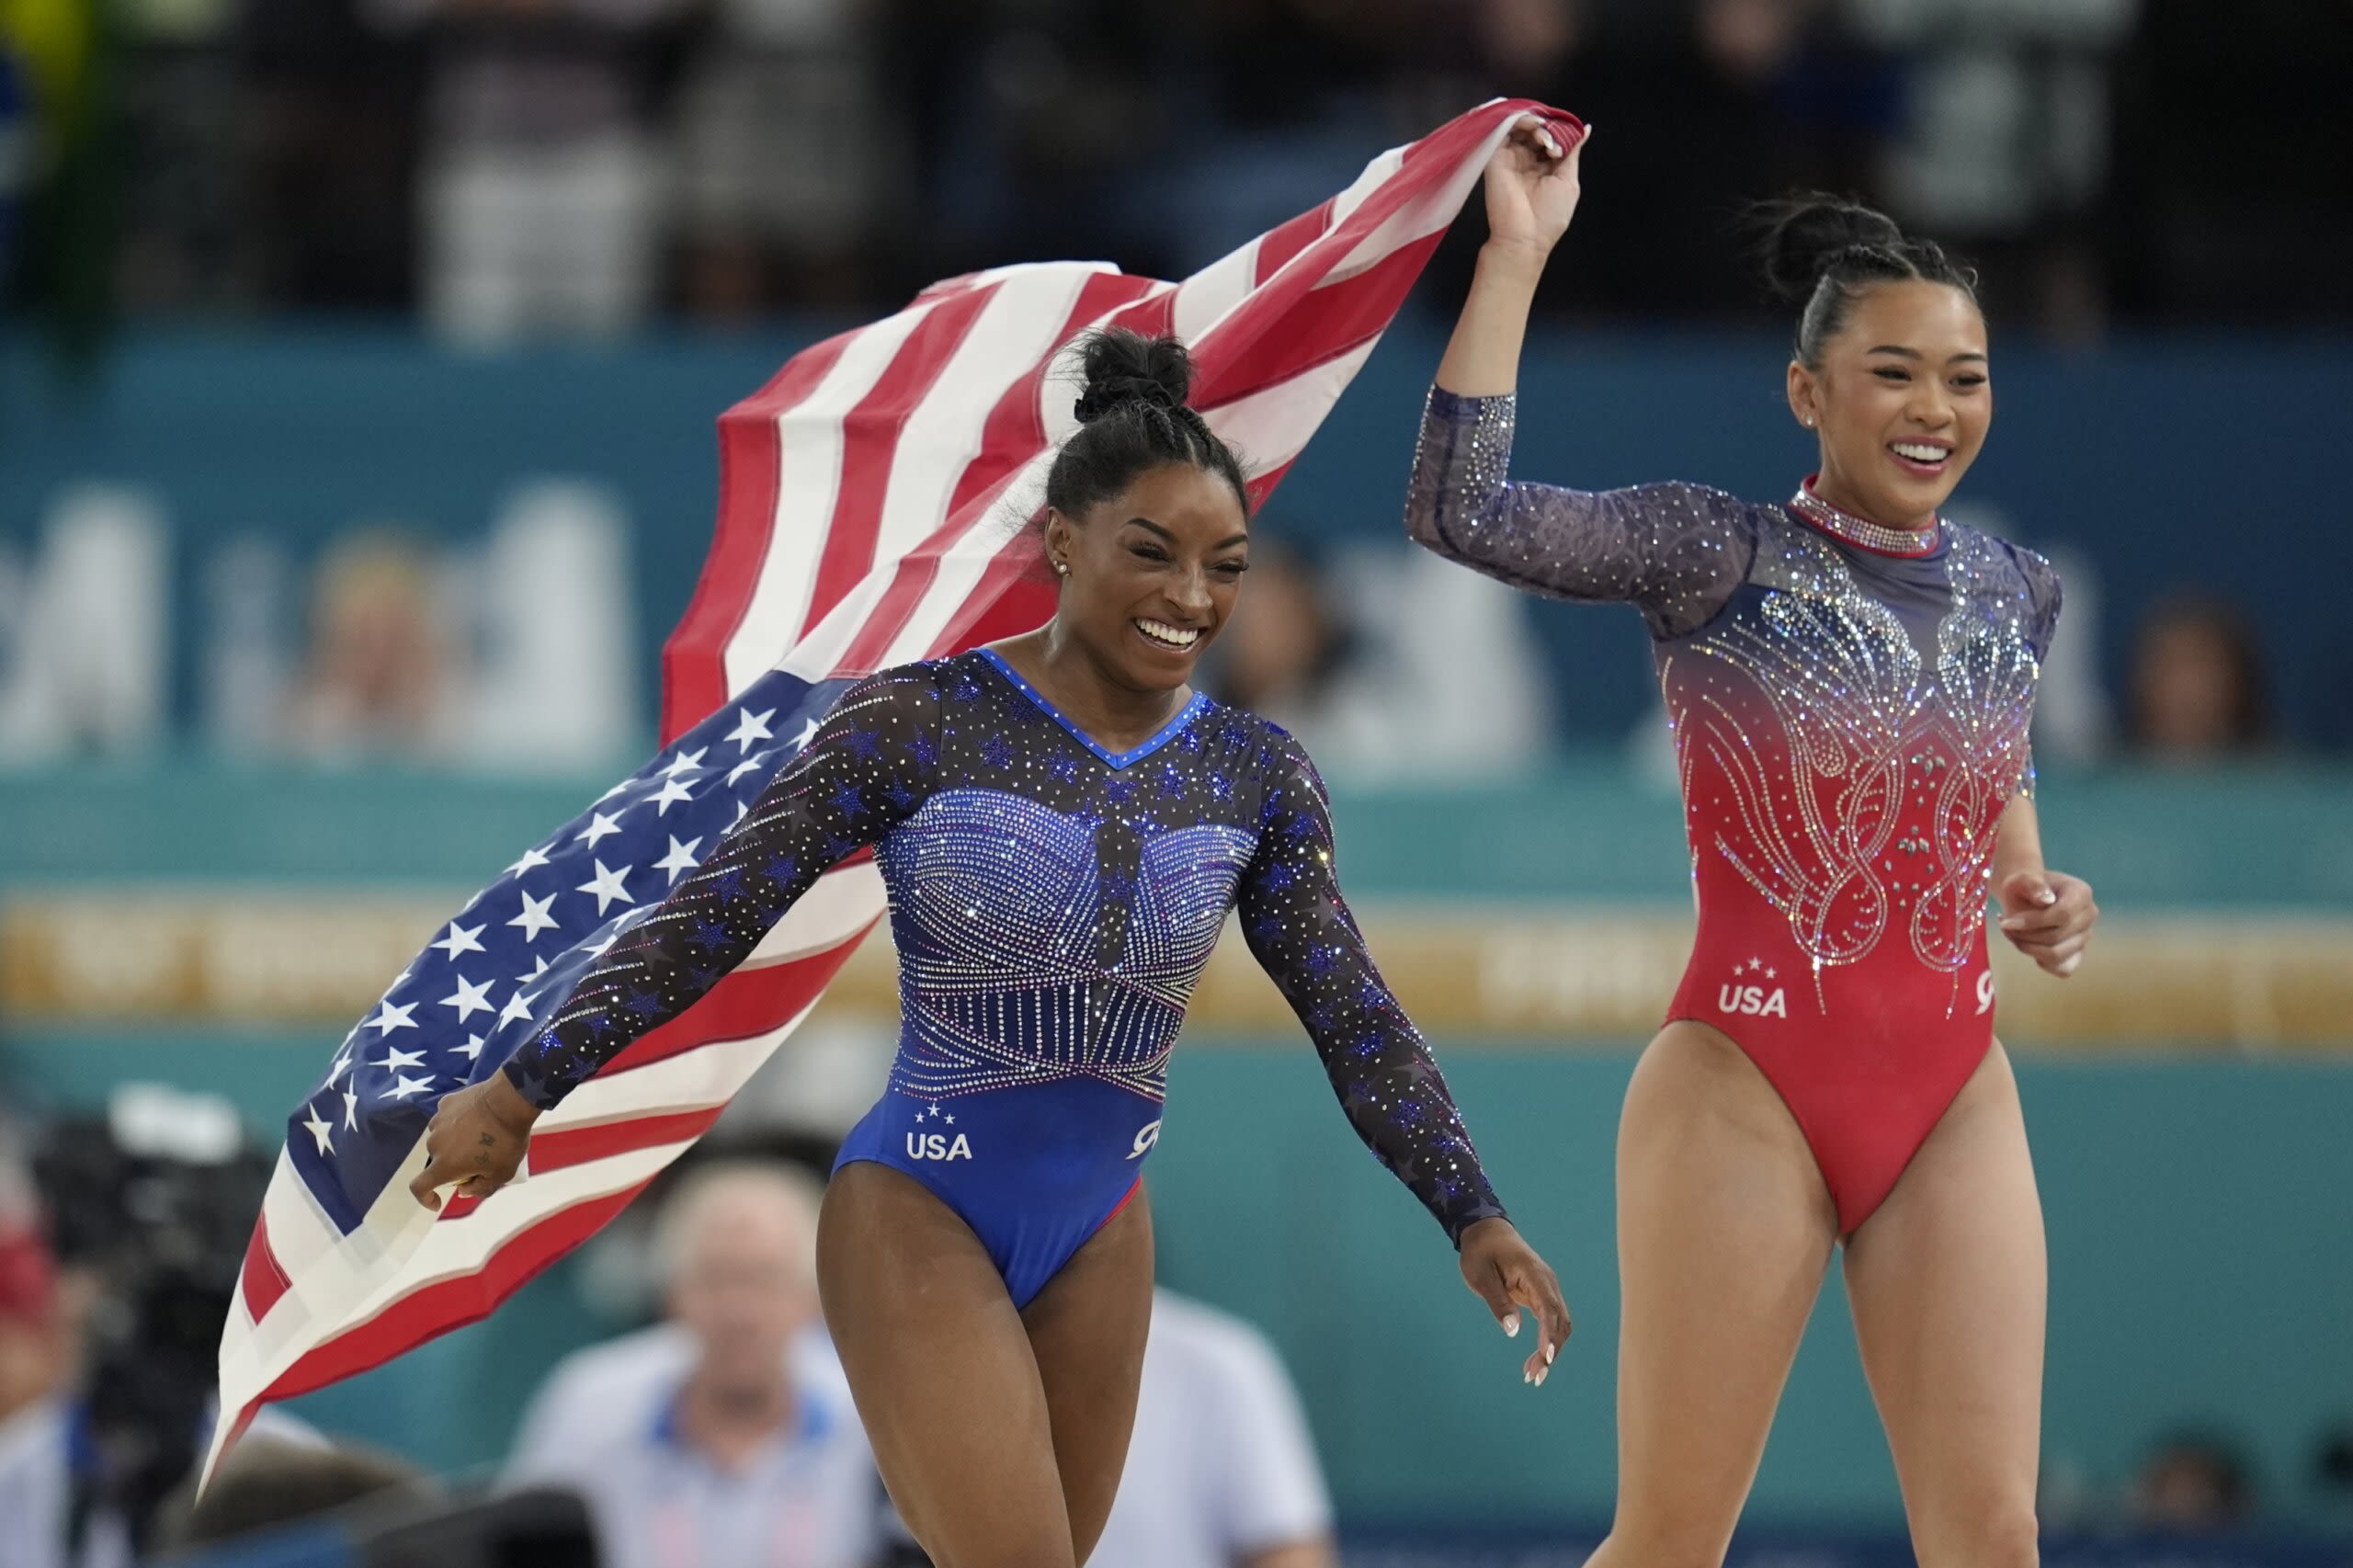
[695, 658]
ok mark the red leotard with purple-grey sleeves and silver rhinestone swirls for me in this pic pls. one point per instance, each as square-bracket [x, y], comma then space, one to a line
[1851, 717]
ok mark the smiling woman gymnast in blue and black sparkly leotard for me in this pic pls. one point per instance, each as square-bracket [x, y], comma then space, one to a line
[1062, 828]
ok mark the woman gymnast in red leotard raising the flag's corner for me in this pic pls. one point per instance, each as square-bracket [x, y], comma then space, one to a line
[1851, 682]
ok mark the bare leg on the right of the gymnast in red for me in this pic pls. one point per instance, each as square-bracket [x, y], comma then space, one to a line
[1949, 1298]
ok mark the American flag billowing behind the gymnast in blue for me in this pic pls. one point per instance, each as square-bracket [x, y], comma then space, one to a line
[872, 505]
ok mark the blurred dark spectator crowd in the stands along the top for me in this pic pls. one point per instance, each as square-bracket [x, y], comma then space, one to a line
[521, 168]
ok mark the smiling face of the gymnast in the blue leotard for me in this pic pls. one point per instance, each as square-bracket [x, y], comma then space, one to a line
[1154, 573]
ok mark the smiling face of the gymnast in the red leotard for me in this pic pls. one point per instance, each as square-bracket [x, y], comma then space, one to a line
[1902, 401]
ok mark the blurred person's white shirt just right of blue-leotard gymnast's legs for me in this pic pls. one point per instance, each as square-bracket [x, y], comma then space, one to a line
[1222, 1468]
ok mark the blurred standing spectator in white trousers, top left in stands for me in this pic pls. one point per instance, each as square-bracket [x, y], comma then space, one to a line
[542, 164]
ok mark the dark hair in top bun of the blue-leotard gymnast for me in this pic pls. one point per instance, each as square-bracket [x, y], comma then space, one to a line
[1133, 418]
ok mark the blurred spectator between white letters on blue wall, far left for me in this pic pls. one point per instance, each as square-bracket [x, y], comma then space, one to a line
[380, 670]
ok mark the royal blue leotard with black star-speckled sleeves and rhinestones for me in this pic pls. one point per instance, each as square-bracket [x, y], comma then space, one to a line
[1053, 905]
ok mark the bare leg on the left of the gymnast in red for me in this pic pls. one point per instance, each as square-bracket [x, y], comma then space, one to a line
[1726, 1230]
